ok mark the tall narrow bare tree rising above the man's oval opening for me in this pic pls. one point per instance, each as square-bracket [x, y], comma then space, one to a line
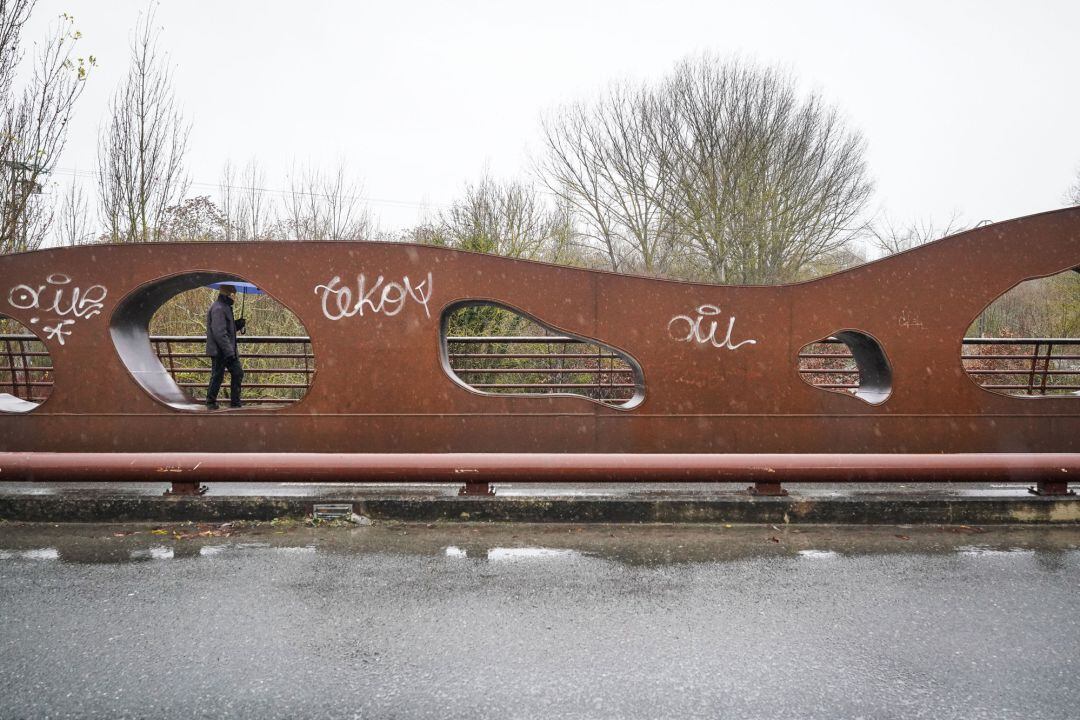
[142, 147]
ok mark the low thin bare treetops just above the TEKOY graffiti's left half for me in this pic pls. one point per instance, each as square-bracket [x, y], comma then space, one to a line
[325, 207]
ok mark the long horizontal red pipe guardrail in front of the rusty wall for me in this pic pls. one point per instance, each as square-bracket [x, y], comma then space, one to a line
[536, 468]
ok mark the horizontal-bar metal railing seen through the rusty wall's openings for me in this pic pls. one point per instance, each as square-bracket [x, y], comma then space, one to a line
[279, 370]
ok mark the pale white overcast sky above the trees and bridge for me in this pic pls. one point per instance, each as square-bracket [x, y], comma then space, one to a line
[967, 107]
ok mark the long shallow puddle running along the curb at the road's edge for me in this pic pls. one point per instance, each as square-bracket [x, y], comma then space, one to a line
[506, 544]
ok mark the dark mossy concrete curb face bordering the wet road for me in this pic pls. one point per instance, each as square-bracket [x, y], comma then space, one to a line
[880, 510]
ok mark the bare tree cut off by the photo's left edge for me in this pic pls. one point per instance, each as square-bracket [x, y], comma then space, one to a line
[35, 120]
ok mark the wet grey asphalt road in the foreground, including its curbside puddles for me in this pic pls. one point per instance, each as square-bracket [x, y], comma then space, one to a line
[468, 621]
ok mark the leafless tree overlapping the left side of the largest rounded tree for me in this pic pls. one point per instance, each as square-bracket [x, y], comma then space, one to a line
[603, 161]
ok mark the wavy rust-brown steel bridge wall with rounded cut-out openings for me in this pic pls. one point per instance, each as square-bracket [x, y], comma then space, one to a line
[381, 384]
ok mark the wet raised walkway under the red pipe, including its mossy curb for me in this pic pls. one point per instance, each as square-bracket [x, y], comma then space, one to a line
[820, 504]
